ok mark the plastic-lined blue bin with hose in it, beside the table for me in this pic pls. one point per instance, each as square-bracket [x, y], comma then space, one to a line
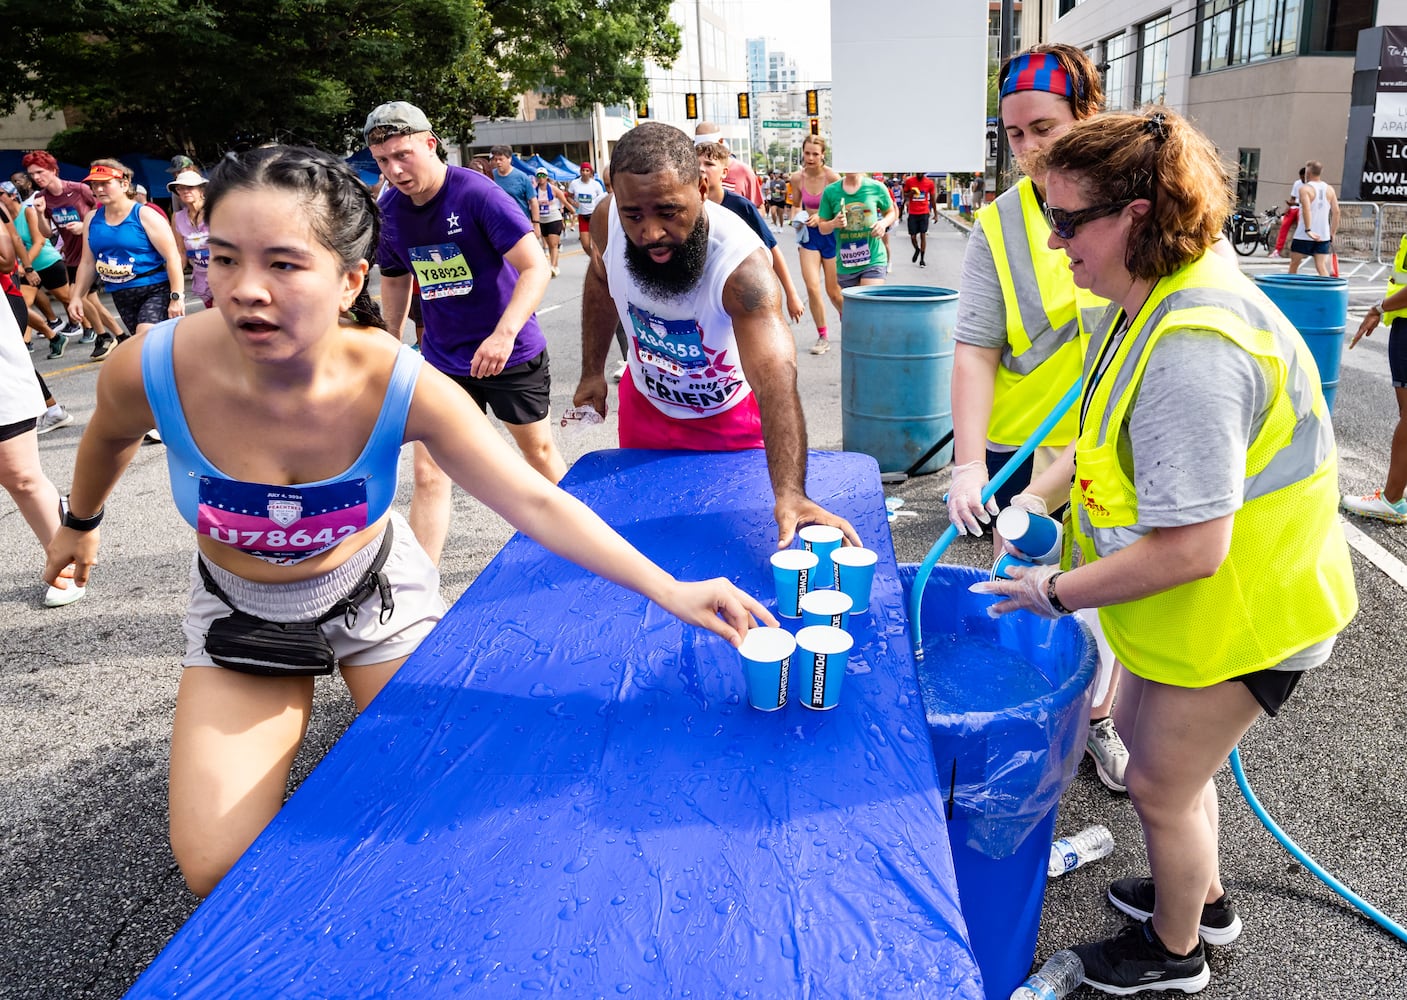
[1008, 711]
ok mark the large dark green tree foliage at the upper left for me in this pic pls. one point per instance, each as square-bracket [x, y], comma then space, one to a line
[202, 77]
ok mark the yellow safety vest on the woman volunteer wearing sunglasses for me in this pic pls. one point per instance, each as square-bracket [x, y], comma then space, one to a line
[1287, 582]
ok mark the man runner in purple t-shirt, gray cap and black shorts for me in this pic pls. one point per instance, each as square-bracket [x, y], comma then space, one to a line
[482, 276]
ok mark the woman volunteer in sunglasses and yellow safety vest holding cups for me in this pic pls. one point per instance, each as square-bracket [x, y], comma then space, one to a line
[1205, 513]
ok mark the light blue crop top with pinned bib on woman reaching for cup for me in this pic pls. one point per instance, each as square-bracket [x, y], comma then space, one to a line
[278, 524]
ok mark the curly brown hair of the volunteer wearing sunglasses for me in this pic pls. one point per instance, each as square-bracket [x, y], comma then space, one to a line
[1157, 155]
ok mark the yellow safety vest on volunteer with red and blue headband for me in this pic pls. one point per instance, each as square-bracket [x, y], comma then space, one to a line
[1045, 316]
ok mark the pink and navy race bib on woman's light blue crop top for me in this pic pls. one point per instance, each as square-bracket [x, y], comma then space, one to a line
[281, 525]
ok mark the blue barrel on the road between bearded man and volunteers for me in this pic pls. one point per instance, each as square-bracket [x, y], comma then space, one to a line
[897, 375]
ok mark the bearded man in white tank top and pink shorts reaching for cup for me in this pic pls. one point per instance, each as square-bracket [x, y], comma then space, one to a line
[711, 362]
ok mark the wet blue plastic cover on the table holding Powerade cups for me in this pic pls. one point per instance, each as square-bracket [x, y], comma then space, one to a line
[564, 793]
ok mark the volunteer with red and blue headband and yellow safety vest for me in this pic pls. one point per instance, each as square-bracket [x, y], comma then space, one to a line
[1019, 331]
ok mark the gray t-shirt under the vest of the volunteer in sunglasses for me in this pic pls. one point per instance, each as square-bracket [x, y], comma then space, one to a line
[1201, 404]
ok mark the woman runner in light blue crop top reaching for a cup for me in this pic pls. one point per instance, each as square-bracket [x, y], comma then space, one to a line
[285, 411]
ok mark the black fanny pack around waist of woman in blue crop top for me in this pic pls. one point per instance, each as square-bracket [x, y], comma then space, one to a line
[251, 645]
